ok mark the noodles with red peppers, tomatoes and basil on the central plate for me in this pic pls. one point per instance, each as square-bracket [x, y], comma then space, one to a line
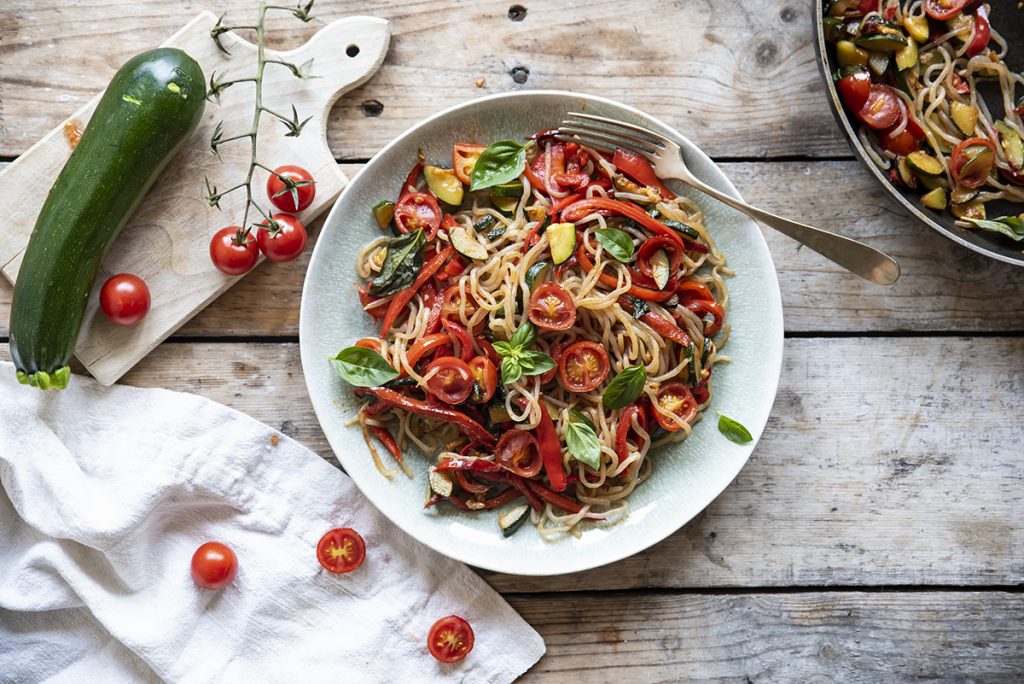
[548, 315]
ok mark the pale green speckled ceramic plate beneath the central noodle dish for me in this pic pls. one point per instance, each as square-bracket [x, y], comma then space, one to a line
[687, 477]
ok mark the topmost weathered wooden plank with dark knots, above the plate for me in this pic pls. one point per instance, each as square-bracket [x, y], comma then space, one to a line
[724, 77]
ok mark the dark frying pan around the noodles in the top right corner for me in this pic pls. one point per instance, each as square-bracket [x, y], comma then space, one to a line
[1009, 21]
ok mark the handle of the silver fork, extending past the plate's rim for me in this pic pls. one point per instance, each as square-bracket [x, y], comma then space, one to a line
[857, 258]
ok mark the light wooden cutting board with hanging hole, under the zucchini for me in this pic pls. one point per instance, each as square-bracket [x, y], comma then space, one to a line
[166, 242]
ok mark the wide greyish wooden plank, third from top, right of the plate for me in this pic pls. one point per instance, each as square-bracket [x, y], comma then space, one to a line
[886, 462]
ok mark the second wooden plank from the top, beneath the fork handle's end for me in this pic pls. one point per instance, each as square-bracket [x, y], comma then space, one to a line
[945, 287]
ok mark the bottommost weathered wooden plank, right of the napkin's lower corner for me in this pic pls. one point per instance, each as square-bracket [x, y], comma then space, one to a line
[832, 637]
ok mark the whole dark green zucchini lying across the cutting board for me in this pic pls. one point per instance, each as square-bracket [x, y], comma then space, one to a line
[151, 108]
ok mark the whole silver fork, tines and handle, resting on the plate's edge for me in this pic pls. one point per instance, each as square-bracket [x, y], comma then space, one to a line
[609, 135]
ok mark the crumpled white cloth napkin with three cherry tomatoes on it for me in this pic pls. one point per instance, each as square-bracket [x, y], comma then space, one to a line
[107, 494]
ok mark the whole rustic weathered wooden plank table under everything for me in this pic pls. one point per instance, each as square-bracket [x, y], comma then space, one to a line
[877, 533]
